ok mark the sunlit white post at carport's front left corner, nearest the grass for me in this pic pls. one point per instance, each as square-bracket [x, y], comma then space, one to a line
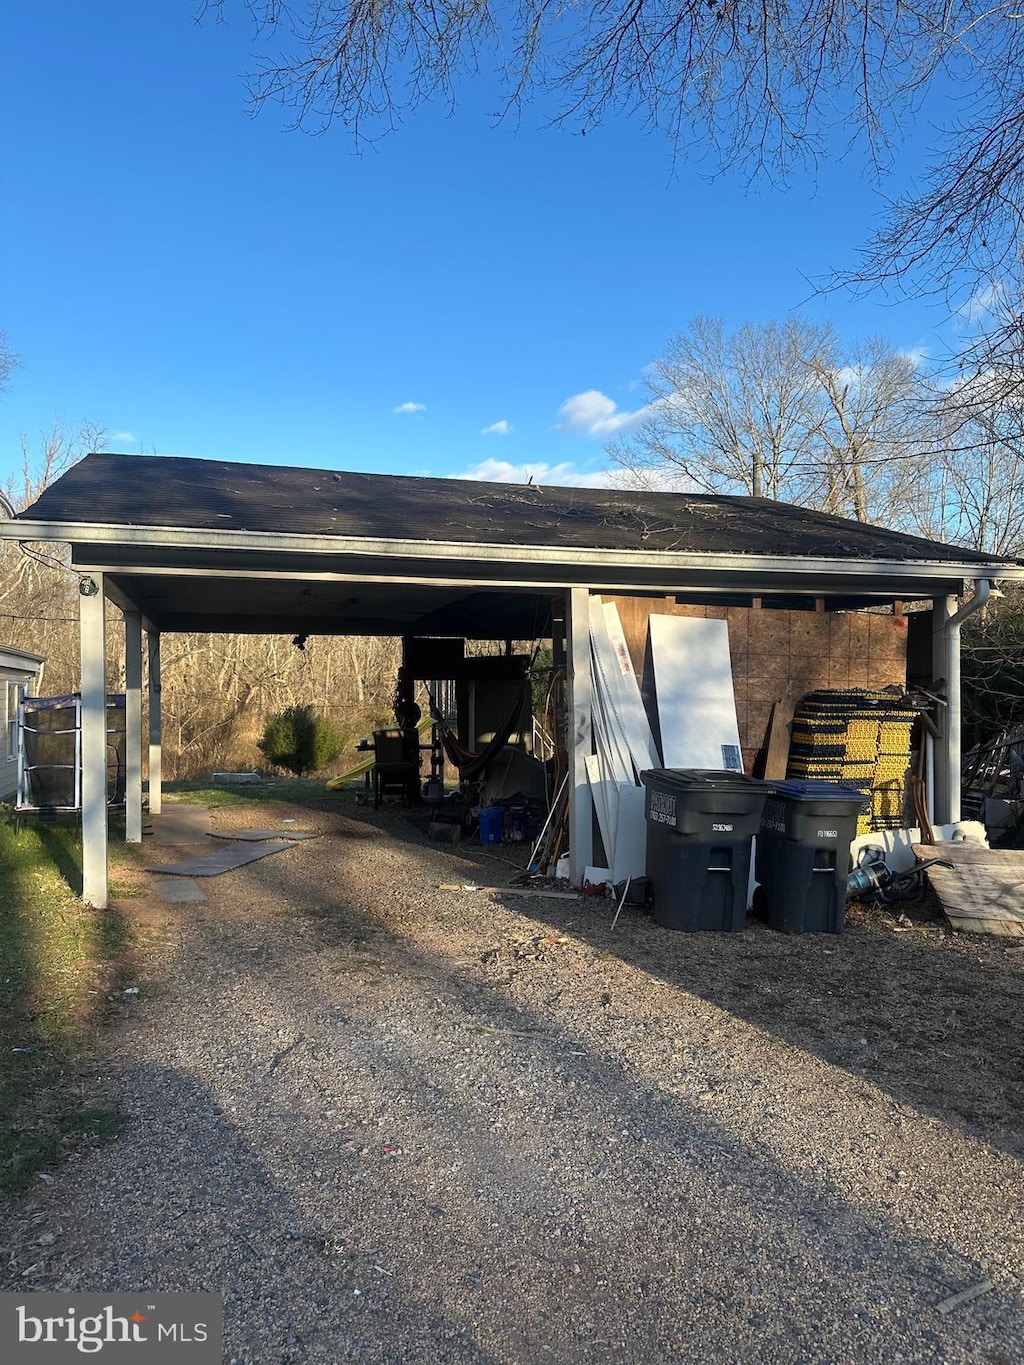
[94, 641]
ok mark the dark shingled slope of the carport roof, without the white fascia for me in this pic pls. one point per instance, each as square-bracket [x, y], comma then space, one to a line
[212, 495]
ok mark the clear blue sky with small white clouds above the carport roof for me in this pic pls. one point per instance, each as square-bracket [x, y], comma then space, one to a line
[461, 298]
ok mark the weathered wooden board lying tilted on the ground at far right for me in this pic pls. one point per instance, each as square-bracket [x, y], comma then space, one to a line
[984, 893]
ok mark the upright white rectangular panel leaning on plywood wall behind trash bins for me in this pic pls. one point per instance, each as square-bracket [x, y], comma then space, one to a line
[693, 682]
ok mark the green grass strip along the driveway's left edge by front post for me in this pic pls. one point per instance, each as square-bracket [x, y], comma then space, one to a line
[59, 960]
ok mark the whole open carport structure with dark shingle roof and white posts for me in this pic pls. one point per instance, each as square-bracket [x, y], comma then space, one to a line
[203, 545]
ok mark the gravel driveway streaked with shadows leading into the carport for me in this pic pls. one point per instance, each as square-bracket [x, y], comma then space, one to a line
[390, 1123]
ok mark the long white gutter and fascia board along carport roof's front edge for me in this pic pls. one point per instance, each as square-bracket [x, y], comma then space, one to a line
[672, 562]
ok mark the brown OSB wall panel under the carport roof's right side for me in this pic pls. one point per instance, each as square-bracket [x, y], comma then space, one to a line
[779, 653]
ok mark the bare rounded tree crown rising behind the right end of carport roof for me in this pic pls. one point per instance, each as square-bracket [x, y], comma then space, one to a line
[784, 412]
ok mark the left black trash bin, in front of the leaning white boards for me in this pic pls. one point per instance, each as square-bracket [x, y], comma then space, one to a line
[700, 829]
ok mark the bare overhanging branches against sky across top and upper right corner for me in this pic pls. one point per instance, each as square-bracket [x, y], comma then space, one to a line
[753, 87]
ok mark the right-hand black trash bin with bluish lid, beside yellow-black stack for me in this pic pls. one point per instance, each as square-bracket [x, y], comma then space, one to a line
[803, 855]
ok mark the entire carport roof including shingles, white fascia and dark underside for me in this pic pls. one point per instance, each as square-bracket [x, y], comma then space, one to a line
[212, 545]
